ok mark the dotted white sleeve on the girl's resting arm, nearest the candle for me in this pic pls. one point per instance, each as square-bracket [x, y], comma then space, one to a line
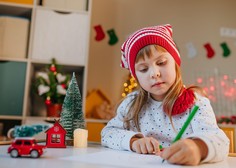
[114, 135]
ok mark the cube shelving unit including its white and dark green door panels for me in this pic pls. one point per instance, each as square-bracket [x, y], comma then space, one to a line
[53, 33]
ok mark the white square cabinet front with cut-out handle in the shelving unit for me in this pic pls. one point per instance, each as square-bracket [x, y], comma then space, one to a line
[67, 31]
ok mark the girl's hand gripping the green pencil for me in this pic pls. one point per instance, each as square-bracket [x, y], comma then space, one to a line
[186, 152]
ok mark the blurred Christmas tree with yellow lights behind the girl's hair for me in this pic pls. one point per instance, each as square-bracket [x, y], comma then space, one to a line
[129, 86]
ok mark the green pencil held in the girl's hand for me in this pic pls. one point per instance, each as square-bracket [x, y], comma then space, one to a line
[186, 124]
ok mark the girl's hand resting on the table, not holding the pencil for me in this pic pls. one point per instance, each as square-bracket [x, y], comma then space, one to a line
[146, 145]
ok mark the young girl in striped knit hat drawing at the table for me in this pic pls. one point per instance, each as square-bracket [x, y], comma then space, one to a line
[154, 114]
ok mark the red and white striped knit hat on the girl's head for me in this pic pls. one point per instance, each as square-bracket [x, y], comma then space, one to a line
[160, 35]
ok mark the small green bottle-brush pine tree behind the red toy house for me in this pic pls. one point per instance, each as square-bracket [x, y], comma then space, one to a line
[72, 116]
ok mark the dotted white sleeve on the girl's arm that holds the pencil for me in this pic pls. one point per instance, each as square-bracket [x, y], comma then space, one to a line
[205, 127]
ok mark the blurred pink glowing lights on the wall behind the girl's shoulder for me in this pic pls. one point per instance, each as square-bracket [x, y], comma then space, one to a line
[221, 90]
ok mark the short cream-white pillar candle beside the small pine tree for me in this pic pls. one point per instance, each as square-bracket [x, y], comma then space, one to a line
[80, 138]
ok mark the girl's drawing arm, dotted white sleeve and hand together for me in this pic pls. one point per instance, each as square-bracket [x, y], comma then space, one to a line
[207, 143]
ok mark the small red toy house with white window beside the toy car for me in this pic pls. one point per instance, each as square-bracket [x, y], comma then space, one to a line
[56, 136]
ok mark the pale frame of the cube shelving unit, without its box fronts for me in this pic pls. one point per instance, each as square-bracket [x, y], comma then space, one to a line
[33, 65]
